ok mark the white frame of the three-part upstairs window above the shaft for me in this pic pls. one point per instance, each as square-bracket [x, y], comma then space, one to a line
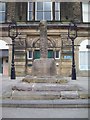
[34, 11]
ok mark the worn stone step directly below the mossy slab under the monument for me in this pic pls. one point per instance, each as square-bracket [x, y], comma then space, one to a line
[46, 87]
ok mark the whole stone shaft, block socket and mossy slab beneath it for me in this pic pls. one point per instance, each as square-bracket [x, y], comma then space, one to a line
[43, 69]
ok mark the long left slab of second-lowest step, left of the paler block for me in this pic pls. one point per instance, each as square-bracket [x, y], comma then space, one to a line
[32, 95]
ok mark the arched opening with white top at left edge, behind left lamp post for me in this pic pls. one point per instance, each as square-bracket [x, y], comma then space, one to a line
[3, 57]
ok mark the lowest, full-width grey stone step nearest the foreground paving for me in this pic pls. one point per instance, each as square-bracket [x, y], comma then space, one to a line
[63, 103]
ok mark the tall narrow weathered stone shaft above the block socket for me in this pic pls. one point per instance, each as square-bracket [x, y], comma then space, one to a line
[43, 39]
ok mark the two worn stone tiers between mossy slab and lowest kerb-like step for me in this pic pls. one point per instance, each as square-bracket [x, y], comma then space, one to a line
[45, 91]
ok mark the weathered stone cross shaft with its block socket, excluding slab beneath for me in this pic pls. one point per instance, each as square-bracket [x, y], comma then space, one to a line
[43, 66]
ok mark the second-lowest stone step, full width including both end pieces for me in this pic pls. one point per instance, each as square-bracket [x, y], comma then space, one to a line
[44, 95]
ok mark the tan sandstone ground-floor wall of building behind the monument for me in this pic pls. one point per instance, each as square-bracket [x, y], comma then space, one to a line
[24, 43]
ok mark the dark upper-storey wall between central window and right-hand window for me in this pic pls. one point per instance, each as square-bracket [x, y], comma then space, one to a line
[70, 11]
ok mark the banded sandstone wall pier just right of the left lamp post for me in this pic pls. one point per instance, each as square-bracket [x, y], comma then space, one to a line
[20, 55]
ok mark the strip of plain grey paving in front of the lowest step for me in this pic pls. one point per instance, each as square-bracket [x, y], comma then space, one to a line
[44, 113]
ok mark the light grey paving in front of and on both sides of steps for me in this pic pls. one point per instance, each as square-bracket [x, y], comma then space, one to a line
[5, 82]
